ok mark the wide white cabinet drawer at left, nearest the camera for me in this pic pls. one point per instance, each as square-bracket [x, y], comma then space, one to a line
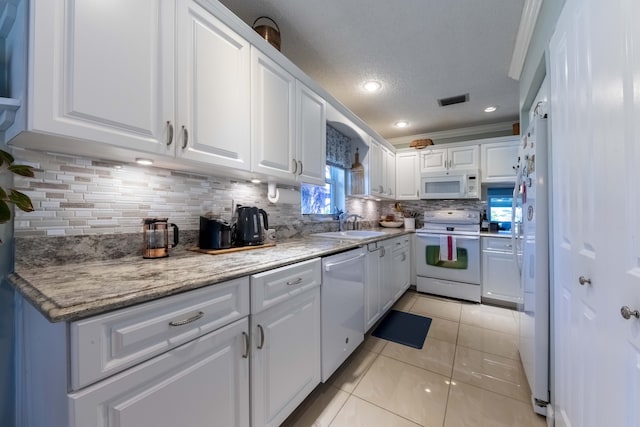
[109, 343]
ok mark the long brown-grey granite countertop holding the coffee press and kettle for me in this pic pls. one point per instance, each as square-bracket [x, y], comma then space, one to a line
[75, 291]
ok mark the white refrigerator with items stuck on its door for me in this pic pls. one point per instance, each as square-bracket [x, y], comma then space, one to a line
[531, 192]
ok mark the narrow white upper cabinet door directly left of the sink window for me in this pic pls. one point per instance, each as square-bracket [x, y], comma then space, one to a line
[311, 136]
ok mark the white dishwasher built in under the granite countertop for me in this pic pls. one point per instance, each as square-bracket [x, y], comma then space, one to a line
[342, 308]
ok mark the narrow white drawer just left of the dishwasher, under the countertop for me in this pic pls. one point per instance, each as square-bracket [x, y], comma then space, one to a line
[274, 286]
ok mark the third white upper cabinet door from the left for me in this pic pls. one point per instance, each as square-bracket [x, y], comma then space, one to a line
[272, 120]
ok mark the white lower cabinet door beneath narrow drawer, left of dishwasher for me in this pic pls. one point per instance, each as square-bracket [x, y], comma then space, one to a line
[285, 358]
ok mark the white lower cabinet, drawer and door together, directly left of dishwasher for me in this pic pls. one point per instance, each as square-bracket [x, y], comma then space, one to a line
[285, 352]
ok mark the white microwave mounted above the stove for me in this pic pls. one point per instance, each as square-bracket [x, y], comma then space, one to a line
[462, 184]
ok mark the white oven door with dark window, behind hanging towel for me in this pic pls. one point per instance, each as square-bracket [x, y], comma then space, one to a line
[465, 269]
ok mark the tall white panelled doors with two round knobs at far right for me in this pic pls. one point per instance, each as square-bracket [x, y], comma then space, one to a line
[594, 86]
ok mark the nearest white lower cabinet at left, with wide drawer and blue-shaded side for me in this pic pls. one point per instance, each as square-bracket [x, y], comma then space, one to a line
[179, 360]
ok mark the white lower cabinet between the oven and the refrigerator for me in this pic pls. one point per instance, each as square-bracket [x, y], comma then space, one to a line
[500, 273]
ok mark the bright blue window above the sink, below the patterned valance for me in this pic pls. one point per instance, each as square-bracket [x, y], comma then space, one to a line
[324, 199]
